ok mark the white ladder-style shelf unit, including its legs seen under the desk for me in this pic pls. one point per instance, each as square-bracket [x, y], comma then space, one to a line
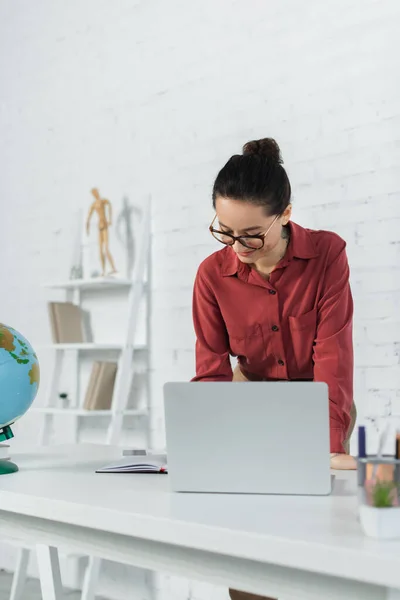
[136, 287]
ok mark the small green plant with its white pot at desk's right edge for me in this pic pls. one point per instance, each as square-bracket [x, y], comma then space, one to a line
[380, 514]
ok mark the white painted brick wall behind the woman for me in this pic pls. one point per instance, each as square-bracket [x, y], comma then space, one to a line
[138, 97]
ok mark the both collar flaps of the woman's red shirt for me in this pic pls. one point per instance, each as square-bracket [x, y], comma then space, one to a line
[301, 246]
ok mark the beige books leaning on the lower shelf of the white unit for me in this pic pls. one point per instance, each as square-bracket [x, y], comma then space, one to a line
[100, 388]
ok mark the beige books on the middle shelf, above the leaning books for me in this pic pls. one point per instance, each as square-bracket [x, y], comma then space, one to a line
[66, 323]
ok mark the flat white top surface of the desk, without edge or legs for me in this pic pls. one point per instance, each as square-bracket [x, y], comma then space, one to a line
[319, 534]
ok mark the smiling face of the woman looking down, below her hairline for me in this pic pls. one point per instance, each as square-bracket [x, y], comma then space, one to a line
[243, 218]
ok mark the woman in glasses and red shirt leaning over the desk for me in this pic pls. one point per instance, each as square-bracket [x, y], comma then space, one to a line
[277, 295]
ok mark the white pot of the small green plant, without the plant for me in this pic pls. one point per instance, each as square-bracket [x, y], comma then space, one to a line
[383, 523]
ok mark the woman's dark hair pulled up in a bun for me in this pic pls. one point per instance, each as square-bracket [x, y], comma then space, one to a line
[256, 176]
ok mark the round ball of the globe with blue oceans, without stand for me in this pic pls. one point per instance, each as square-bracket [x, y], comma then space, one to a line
[19, 375]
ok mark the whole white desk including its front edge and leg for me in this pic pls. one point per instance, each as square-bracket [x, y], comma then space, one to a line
[286, 547]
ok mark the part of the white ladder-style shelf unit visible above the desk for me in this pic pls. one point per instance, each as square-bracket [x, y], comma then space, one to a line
[126, 350]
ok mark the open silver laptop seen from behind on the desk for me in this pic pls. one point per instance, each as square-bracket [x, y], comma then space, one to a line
[250, 437]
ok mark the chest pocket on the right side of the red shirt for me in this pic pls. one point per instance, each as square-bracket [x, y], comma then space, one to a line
[303, 331]
